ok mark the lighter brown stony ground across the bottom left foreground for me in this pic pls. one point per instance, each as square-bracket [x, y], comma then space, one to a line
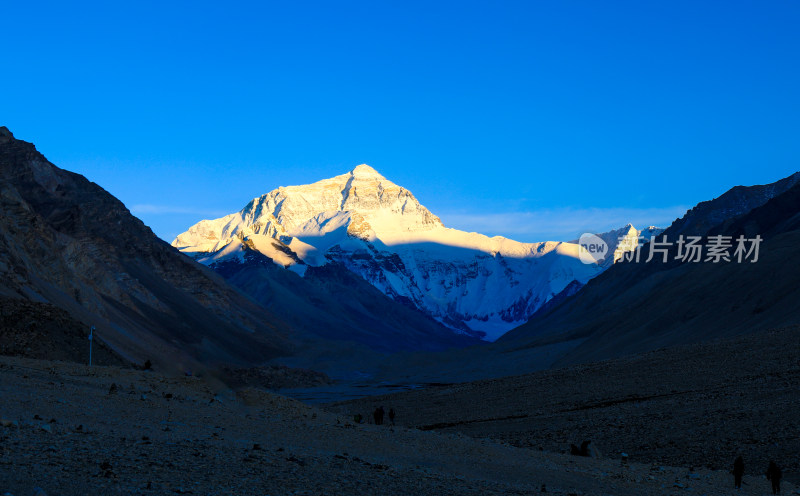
[73, 430]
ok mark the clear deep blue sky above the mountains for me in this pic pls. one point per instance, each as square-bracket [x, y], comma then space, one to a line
[534, 120]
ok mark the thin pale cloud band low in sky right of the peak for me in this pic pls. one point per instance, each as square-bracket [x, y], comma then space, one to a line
[560, 224]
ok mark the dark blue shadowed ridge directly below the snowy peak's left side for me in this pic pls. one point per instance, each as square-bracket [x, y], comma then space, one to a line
[336, 304]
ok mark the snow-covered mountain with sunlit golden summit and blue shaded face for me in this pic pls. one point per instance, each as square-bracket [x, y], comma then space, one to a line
[474, 284]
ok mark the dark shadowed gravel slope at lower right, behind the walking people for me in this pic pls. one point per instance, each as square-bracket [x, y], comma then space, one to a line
[689, 406]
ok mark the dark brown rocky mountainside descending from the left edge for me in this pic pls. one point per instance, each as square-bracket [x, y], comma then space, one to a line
[66, 241]
